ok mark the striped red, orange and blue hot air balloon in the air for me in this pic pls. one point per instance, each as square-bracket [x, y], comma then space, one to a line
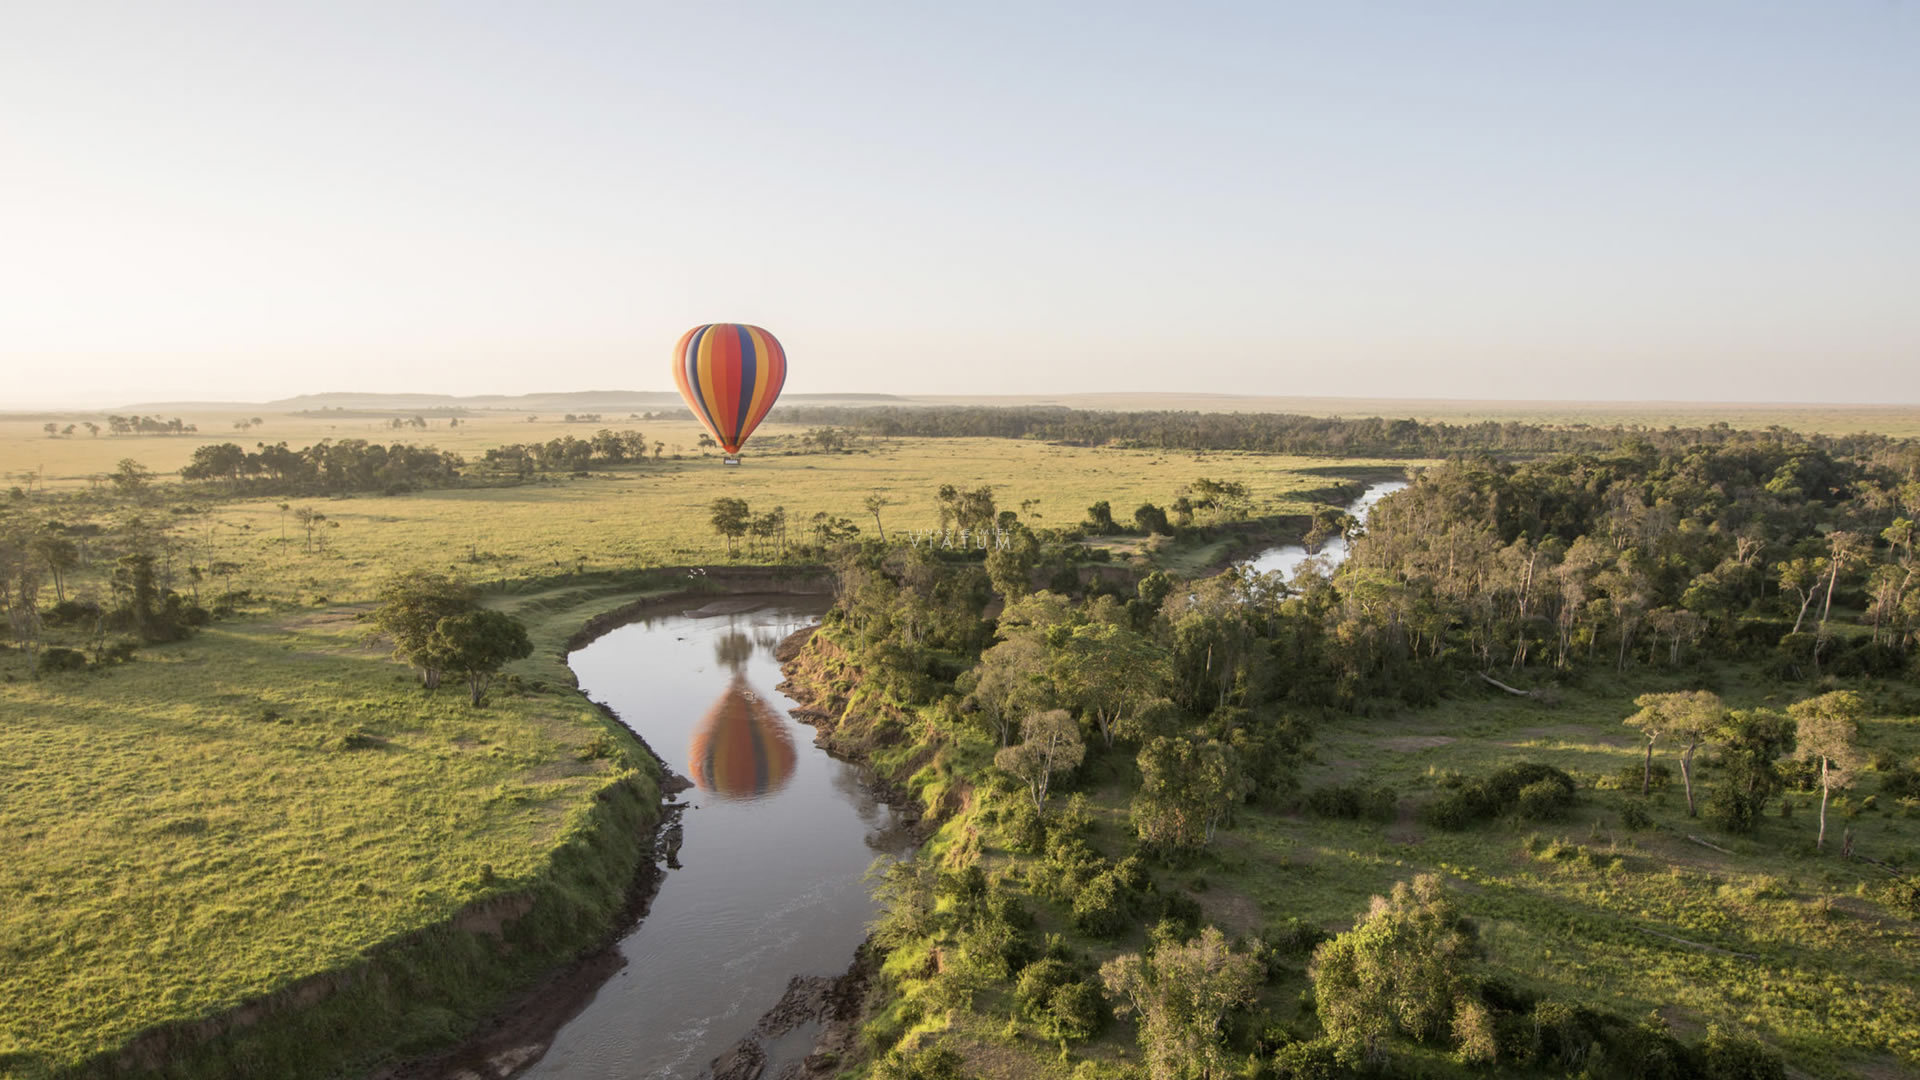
[731, 376]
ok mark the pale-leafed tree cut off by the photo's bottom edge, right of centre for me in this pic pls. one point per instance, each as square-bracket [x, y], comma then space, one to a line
[1184, 994]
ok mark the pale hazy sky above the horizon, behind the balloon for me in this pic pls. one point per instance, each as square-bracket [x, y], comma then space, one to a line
[1428, 199]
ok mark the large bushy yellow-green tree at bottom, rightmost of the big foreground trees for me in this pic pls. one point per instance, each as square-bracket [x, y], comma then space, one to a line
[1401, 970]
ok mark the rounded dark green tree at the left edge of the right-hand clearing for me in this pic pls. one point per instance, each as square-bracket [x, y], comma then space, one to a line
[1188, 789]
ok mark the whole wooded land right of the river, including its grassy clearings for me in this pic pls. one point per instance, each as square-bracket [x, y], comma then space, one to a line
[1547, 779]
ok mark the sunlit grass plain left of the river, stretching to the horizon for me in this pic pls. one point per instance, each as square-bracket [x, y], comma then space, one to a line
[272, 808]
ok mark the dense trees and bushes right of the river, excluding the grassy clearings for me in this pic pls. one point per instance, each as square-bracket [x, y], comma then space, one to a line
[1635, 558]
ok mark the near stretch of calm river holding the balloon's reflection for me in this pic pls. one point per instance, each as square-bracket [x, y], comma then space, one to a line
[775, 845]
